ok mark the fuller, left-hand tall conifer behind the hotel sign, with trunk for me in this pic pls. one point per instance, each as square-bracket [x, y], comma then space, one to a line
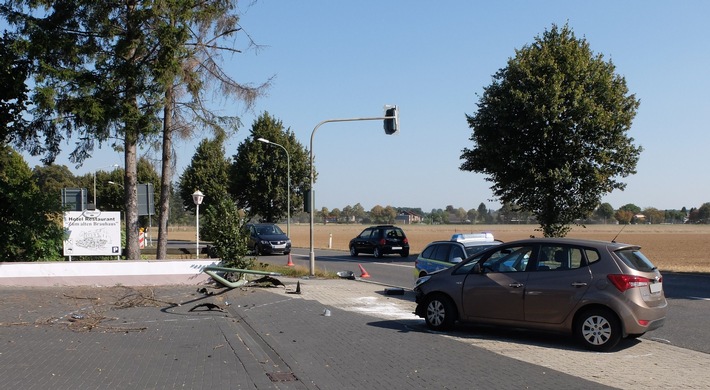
[94, 81]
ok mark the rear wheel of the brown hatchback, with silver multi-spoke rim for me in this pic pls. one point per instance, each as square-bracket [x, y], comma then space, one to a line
[598, 329]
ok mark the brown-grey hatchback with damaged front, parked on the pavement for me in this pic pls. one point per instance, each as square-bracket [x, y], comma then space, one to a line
[598, 291]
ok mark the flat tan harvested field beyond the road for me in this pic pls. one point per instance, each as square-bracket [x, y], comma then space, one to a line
[680, 248]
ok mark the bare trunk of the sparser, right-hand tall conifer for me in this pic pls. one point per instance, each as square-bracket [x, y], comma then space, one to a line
[166, 176]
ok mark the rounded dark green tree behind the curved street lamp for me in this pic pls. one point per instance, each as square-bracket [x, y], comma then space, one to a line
[259, 173]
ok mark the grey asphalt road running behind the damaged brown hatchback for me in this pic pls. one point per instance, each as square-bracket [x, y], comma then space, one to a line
[688, 294]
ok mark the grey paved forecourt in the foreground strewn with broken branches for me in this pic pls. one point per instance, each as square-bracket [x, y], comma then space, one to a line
[271, 338]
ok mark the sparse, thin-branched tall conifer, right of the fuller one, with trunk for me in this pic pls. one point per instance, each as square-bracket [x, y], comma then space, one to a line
[193, 38]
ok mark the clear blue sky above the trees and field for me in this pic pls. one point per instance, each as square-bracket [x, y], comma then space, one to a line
[337, 59]
